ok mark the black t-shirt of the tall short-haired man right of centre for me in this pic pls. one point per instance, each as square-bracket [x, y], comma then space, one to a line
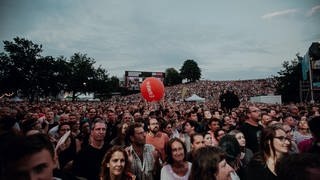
[252, 135]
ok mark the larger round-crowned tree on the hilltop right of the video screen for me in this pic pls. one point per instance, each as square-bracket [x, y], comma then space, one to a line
[190, 71]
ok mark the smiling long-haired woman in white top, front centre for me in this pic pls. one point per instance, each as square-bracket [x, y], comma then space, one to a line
[177, 167]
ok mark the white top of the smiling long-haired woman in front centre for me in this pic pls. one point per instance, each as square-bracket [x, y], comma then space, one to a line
[168, 174]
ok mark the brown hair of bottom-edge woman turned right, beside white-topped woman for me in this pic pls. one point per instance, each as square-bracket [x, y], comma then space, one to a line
[206, 163]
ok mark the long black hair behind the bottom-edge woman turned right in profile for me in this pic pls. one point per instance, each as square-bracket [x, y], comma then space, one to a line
[230, 145]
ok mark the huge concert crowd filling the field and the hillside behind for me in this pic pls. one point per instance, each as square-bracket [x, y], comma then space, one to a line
[129, 138]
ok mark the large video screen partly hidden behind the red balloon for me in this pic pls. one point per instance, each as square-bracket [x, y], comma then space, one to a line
[133, 79]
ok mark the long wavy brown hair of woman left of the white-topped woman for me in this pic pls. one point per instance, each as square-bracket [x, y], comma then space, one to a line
[104, 174]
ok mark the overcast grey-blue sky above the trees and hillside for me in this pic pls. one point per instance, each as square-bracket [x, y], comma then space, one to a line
[229, 39]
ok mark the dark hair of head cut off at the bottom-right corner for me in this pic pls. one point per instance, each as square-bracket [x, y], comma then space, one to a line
[298, 166]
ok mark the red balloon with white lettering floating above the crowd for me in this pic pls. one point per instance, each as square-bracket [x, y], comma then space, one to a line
[152, 89]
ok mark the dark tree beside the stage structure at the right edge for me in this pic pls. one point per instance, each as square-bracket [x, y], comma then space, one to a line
[288, 81]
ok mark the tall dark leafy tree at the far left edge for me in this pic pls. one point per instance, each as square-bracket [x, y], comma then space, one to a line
[19, 66]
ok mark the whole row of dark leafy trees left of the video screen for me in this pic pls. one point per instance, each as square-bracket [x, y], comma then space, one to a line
[25, 72]
